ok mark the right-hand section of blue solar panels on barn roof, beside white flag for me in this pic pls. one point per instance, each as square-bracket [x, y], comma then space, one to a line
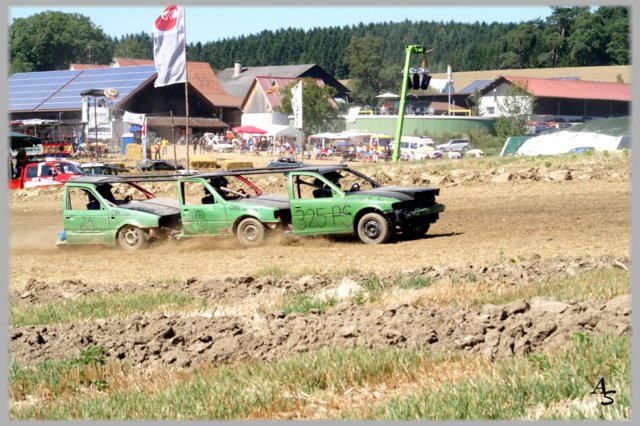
[124, 79]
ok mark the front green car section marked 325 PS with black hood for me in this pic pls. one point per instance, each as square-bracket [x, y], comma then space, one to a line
[339, 200]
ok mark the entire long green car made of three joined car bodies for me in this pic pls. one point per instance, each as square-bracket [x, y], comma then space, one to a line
[319, 200]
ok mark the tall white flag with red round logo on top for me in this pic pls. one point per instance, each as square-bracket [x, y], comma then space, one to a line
[169, 52]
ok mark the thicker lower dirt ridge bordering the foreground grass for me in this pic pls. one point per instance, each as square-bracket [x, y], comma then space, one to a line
[516, 328]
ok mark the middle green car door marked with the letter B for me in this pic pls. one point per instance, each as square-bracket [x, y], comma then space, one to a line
[202, 209]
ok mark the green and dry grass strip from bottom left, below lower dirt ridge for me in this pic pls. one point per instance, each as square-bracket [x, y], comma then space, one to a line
[243, 390]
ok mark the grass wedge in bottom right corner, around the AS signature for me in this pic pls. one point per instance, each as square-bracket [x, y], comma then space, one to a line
[519, 387]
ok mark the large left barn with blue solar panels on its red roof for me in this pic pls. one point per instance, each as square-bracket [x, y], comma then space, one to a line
[55, 97]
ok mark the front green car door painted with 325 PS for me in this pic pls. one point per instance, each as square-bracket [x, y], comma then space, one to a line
[318, 211]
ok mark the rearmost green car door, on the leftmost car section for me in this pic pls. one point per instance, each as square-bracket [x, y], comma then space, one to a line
[86, 222]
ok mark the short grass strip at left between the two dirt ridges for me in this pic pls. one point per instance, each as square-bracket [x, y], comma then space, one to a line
[98, 306]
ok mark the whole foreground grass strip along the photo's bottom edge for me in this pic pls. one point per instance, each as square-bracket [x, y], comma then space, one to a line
[509, 389]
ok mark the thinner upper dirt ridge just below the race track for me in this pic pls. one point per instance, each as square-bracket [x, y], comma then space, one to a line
[231, 289]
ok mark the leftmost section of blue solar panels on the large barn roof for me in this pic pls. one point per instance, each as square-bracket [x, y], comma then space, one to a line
[29, 90]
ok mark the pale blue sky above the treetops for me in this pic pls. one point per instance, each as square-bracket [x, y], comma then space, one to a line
[212, 23]
